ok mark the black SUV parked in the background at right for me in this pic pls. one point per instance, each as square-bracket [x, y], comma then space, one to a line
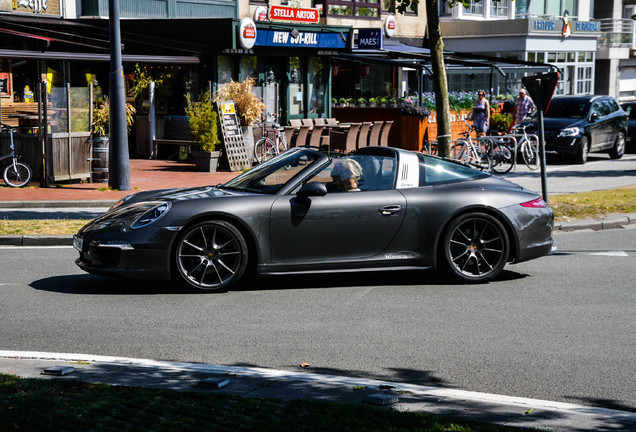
[578, 125]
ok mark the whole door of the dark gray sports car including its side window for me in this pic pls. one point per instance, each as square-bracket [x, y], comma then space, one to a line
[341, 225]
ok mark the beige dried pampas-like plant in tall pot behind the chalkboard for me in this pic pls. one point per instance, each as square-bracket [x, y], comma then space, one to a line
[249, 108]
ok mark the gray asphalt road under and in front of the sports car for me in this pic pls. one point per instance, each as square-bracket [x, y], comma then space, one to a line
[558, 328]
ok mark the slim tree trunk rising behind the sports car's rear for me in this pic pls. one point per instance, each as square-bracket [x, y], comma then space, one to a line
[440, 83]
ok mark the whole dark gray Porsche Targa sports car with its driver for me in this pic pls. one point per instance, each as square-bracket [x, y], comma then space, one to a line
[306, 211]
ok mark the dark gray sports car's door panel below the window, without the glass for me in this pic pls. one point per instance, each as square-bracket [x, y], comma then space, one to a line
[339, 226]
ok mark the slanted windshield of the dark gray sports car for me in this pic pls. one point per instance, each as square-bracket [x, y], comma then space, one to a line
[271, 176]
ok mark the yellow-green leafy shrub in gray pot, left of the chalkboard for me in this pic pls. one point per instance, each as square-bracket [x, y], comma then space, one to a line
[203, 120]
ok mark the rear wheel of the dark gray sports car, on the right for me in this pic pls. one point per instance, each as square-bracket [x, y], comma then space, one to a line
[476, 247]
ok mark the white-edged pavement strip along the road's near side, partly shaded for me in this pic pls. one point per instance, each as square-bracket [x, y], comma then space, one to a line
[288, 385]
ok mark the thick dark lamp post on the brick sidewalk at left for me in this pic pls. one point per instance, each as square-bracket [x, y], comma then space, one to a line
[119, 177]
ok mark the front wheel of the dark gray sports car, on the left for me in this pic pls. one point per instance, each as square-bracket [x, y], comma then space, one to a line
[211, 255]
